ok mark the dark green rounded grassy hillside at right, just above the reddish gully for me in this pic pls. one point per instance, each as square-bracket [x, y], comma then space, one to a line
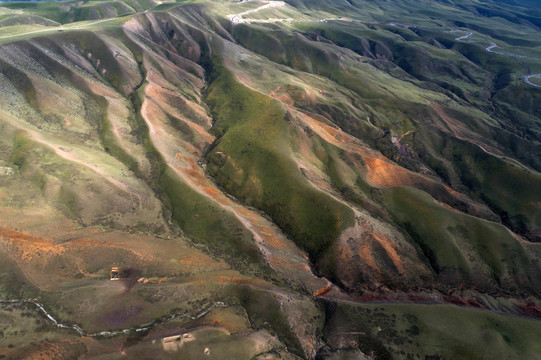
[464, 249]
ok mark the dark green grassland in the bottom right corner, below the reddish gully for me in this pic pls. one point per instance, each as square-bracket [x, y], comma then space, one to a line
[447, 332]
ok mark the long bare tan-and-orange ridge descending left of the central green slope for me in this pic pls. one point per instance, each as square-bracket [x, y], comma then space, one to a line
[277, 250]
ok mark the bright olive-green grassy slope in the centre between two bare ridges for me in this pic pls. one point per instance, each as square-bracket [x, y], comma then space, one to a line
[252, 130]
